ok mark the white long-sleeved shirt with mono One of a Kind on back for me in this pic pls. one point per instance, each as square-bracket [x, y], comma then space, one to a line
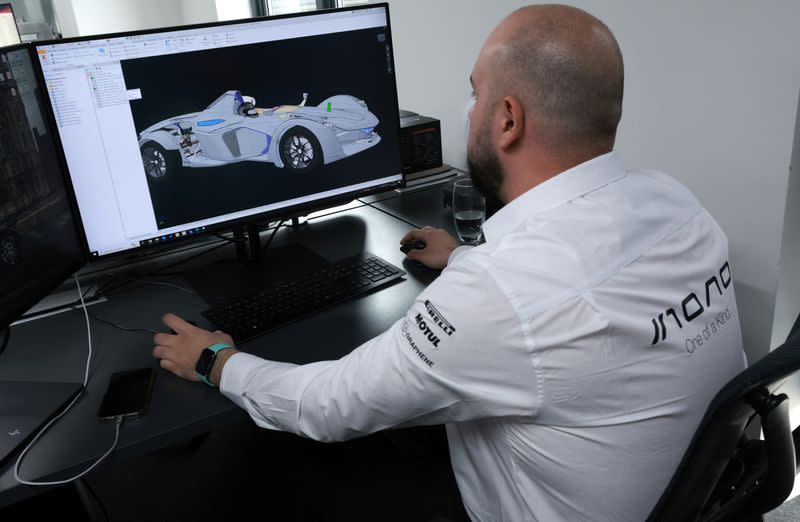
[571, 356]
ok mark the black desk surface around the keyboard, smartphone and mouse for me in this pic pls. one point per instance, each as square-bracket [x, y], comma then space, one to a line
[55, 348]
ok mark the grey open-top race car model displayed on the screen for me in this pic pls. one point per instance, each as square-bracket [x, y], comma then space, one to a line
[232, 129]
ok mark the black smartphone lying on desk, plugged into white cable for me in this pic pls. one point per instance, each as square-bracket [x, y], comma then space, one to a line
[128, 394]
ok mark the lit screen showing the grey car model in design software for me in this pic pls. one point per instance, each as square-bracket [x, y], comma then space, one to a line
[176, 132]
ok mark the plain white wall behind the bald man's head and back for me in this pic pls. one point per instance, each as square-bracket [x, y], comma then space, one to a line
[710, 97]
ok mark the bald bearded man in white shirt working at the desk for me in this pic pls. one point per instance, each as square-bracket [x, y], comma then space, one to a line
[574, 353]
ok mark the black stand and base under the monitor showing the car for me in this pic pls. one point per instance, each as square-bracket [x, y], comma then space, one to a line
[253, 269]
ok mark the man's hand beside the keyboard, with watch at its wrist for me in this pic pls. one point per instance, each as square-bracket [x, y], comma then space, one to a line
[179, 353]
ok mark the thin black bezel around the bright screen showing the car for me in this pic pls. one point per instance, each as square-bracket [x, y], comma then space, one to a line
[287, 212]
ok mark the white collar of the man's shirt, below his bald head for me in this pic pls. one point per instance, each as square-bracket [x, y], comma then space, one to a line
[561, 188]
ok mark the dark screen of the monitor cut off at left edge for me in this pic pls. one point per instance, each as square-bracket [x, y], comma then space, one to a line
[40, 241]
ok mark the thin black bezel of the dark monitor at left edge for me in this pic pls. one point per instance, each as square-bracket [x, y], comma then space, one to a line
[17, 310]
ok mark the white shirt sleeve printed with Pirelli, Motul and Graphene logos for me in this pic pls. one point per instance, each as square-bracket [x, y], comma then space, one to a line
[460, 353]
